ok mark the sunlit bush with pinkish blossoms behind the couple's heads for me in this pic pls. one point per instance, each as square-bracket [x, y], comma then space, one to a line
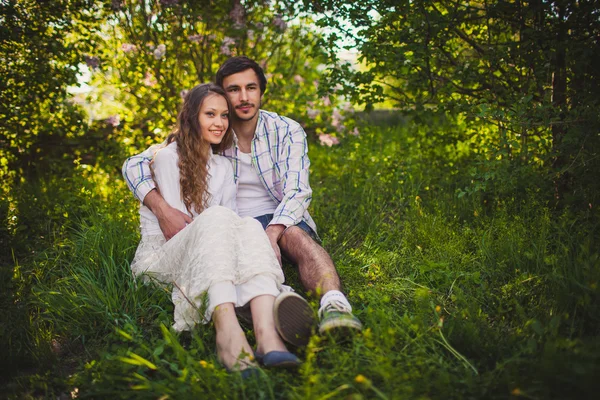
[147, 55]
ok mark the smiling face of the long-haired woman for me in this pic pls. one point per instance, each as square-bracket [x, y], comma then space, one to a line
[214, 118]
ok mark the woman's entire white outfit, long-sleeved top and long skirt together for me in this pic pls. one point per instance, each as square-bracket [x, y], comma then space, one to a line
[218, 258]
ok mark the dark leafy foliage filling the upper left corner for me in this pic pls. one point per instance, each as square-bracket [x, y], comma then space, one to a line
[39, 128]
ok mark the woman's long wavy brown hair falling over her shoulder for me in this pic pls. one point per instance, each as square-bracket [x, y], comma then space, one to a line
[193, 150]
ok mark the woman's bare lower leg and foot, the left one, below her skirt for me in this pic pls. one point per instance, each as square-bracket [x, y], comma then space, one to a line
[233, 349]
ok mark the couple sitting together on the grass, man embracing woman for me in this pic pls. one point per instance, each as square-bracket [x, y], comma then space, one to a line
[222, 199]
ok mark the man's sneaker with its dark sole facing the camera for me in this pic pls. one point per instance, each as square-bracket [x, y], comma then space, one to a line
[294, 318]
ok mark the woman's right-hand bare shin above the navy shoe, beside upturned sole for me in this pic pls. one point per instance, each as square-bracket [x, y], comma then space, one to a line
[267, 338]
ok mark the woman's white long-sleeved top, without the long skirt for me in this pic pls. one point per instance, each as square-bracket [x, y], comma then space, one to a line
[221, 186]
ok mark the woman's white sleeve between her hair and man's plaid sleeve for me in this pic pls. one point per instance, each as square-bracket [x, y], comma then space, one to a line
[166, 175]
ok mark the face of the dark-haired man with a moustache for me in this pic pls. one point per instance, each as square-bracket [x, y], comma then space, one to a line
[243, 90]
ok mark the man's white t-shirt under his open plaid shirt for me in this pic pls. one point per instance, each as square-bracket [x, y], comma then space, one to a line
[252, 197]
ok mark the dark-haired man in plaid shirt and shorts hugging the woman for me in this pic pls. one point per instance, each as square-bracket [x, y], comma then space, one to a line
[271, 168]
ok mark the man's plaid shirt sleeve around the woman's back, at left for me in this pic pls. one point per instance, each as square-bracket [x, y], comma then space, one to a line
[136, 171]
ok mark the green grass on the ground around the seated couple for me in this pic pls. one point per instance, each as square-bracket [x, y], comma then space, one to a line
[482, 296]
